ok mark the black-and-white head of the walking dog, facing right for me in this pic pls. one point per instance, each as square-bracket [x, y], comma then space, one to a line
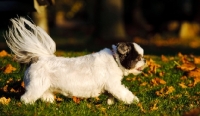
[130, 57]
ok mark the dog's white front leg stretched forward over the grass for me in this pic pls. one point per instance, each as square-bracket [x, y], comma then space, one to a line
[122, 93]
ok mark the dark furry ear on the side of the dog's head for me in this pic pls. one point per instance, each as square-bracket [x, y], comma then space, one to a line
[123, 48]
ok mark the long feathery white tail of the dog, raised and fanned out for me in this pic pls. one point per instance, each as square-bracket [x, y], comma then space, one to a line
[28, 41]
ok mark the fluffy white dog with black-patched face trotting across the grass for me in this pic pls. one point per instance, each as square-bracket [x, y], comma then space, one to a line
[84, 77]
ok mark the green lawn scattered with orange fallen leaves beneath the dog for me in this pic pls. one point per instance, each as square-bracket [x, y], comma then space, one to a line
[170, 85]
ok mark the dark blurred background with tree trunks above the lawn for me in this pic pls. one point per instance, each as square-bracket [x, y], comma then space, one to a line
[160, 26]
